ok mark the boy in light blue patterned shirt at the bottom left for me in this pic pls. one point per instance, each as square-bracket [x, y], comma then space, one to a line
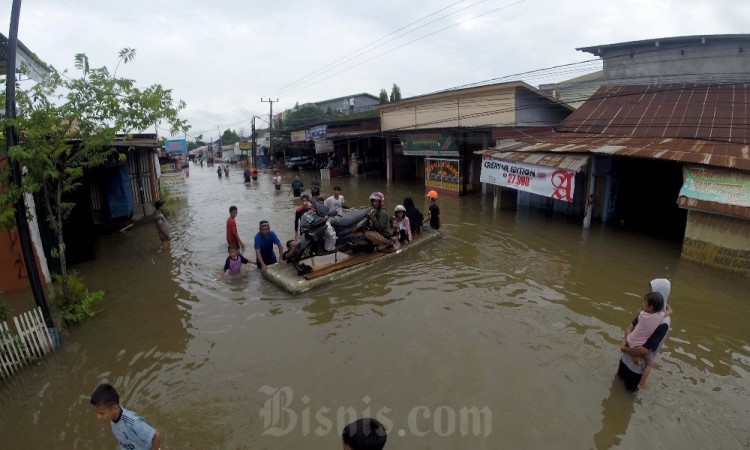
[130, 430]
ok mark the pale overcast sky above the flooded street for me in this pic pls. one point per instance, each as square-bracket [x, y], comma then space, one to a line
[222, 56]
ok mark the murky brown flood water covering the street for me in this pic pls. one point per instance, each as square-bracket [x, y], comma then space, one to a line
[502, 334]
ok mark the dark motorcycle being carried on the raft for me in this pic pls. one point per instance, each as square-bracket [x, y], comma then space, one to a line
[314, 233]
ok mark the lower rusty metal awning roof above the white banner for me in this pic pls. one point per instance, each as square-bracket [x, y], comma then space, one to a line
[710, 153]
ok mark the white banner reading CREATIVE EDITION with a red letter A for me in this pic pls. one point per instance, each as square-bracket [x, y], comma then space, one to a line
[548, 181]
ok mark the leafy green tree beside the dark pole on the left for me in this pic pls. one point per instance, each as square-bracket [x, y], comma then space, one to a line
[66, 125]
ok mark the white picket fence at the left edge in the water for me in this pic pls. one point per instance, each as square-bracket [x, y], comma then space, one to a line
[27, 341]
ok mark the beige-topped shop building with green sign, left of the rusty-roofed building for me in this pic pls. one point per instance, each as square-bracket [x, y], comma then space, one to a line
[435, 135]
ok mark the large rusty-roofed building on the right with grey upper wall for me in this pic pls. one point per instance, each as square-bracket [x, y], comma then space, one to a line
[667, 147]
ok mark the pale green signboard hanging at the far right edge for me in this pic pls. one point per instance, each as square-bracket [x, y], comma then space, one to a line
[716, 185]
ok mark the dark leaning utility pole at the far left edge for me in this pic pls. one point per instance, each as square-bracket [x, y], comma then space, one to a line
[22, 224]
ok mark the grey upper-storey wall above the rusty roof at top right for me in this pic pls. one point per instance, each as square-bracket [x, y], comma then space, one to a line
[727, 61]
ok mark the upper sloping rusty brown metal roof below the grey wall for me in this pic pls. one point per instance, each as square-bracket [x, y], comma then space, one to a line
[719, 112]
